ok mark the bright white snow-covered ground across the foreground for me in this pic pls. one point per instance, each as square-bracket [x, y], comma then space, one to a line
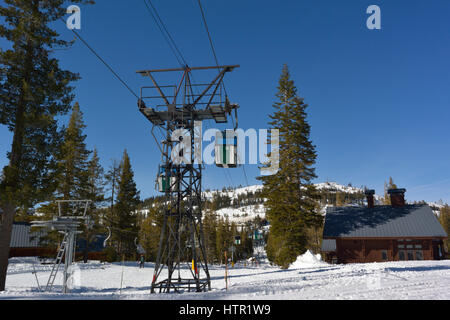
[307, 279]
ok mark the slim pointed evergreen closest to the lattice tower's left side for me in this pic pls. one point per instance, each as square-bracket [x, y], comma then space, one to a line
[125, 220]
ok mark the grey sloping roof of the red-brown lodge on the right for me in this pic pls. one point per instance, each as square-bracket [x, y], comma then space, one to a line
[382, 222]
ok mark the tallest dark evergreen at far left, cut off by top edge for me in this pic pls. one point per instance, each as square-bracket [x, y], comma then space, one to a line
[34, 91]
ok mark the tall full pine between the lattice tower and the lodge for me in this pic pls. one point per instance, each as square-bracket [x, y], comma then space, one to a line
[291, 196]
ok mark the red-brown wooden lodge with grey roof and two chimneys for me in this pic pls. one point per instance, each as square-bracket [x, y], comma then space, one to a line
[398, 232]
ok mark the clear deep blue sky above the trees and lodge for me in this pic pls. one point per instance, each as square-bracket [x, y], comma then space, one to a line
[379, 99]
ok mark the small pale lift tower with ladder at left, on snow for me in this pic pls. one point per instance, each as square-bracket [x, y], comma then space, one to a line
[66, 224]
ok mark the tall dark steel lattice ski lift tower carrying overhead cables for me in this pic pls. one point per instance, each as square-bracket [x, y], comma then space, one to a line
[175, 107]
